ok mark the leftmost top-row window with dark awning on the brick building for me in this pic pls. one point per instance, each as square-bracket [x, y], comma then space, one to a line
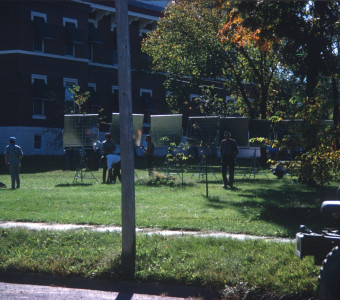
[41, 31]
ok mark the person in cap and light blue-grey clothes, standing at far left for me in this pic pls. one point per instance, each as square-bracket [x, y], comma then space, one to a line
[13, 157]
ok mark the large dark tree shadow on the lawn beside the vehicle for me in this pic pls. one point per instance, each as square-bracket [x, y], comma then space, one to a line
[288, 205]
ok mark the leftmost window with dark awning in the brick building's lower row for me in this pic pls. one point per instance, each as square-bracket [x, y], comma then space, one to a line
[40, 95]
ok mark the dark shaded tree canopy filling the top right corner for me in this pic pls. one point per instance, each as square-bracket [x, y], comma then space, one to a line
[309, 34]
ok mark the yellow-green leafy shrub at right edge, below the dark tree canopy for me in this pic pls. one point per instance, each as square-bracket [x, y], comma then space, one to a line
[319, 163]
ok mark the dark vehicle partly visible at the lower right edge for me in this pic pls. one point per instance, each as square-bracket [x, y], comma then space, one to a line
[325, 247]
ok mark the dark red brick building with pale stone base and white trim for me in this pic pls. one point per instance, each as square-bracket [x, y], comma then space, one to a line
[49, 46]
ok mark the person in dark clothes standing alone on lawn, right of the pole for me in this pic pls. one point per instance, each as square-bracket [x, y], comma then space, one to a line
[229, 152]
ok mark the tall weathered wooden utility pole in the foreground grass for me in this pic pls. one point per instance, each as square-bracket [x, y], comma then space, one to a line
[126, 141]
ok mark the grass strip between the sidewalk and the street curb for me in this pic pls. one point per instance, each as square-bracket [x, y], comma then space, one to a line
[213, 263]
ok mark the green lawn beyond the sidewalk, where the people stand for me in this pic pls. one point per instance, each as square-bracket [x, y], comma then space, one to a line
[258, 206]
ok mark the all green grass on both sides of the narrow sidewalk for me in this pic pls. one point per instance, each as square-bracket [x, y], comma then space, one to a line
[259, 206]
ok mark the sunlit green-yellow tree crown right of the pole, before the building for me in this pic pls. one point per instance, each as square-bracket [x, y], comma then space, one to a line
[187, 47]
